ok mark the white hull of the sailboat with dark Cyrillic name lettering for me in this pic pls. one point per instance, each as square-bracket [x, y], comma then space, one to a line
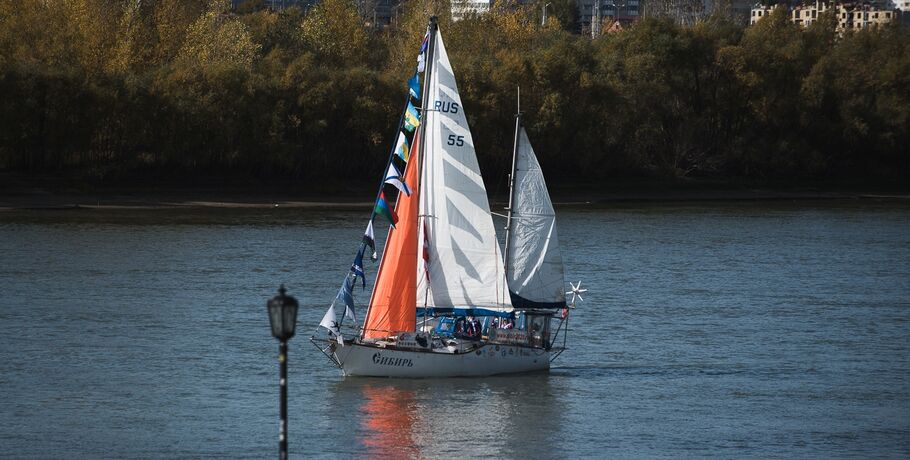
[489, 359]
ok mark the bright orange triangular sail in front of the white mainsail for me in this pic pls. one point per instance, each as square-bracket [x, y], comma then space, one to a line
[393, 307]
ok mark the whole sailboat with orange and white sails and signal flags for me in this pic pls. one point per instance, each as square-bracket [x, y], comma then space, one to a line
[447, 302]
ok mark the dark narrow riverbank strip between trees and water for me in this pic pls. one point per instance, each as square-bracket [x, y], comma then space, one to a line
[19, 192]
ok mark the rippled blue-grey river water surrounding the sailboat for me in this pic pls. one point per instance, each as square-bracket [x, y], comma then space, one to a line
[773, 330]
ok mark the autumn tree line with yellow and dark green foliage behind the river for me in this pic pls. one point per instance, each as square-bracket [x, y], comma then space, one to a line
[114, 89]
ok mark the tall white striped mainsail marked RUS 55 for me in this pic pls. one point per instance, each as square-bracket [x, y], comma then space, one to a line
[465, 266]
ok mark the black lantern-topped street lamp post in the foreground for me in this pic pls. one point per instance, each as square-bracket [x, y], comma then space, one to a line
[282, 311]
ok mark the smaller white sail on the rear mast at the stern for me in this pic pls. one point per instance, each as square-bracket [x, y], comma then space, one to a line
[535, 269]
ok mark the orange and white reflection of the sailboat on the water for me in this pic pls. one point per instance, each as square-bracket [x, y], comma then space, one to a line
[465, 417]
